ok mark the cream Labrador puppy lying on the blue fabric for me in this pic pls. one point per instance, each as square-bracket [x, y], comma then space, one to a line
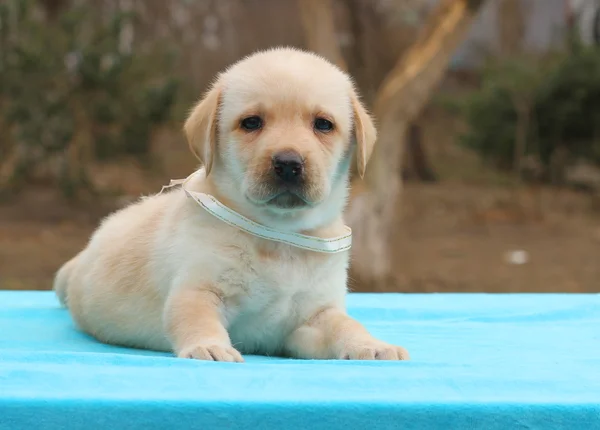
[276, 134]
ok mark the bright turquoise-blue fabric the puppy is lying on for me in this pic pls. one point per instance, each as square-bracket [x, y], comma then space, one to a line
[478, 361]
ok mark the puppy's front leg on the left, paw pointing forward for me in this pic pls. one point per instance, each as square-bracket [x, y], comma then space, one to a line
[193, 323]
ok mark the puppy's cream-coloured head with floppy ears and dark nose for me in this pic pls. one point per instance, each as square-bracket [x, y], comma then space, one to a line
[278, 130]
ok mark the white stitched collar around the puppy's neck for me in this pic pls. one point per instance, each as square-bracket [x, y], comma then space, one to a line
[219, 210]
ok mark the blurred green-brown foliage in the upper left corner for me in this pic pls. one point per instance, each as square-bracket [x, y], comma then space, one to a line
[70, 93]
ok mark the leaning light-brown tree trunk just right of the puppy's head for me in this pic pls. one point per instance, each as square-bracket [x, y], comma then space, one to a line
[401, 98]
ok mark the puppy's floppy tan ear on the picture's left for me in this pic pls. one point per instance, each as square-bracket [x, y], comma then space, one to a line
[201, 127]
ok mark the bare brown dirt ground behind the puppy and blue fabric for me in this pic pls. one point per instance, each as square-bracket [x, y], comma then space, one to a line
[451, 238]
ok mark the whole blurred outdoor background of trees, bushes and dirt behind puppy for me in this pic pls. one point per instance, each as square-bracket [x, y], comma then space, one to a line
[486, 175]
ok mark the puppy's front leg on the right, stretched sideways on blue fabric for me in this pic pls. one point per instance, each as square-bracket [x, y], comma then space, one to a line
[332, 334]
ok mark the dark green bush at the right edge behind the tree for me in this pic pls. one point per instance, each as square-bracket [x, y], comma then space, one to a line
[560, 95]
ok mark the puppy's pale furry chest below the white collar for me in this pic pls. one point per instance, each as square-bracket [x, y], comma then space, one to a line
[267, 295]
